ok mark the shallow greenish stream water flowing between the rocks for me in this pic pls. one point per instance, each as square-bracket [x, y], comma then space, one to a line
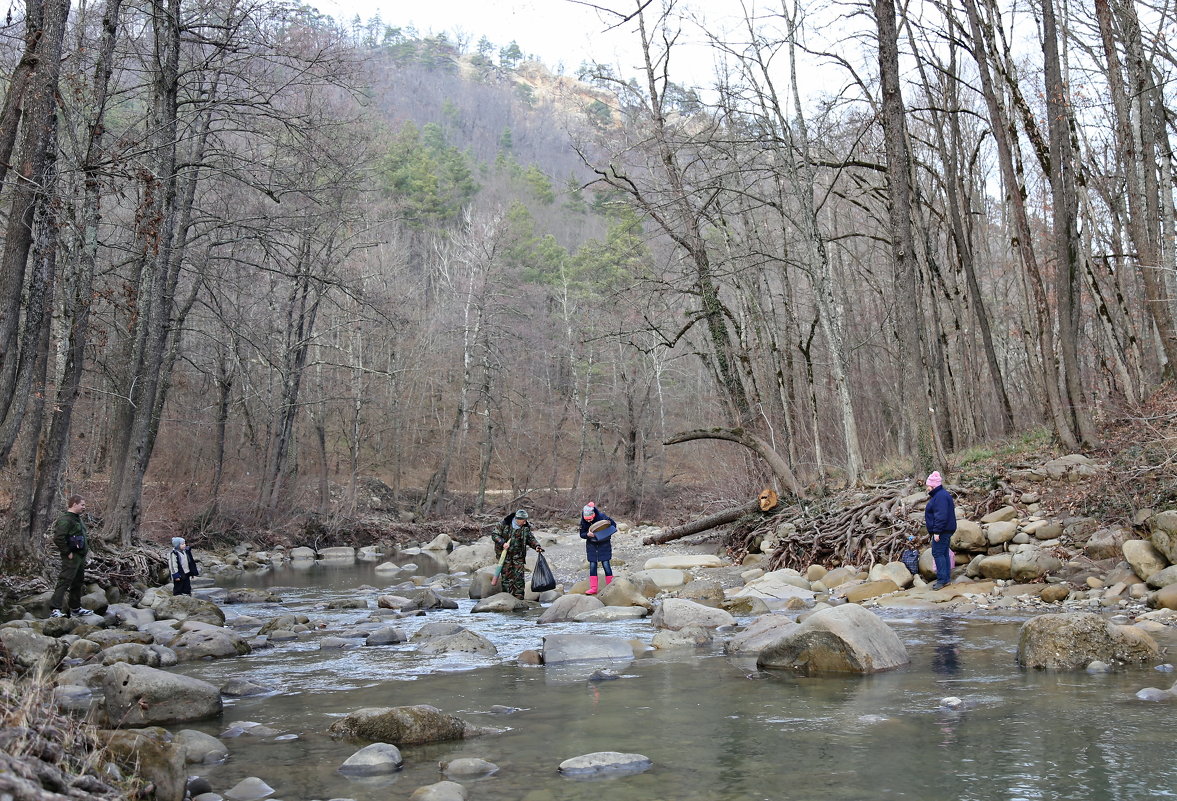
[714, 726]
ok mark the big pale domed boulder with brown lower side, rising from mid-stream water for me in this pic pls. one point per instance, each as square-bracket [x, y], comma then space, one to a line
[846, 639]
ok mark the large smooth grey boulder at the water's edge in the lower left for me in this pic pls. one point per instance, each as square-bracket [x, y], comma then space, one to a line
[141, 696]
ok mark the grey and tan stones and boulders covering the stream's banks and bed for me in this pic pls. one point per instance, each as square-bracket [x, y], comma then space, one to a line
[1099, 598]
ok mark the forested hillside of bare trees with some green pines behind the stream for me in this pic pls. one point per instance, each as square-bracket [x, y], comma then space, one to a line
[256, 259]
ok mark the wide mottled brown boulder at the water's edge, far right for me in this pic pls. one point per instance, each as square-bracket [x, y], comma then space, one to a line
[1070, 642]
